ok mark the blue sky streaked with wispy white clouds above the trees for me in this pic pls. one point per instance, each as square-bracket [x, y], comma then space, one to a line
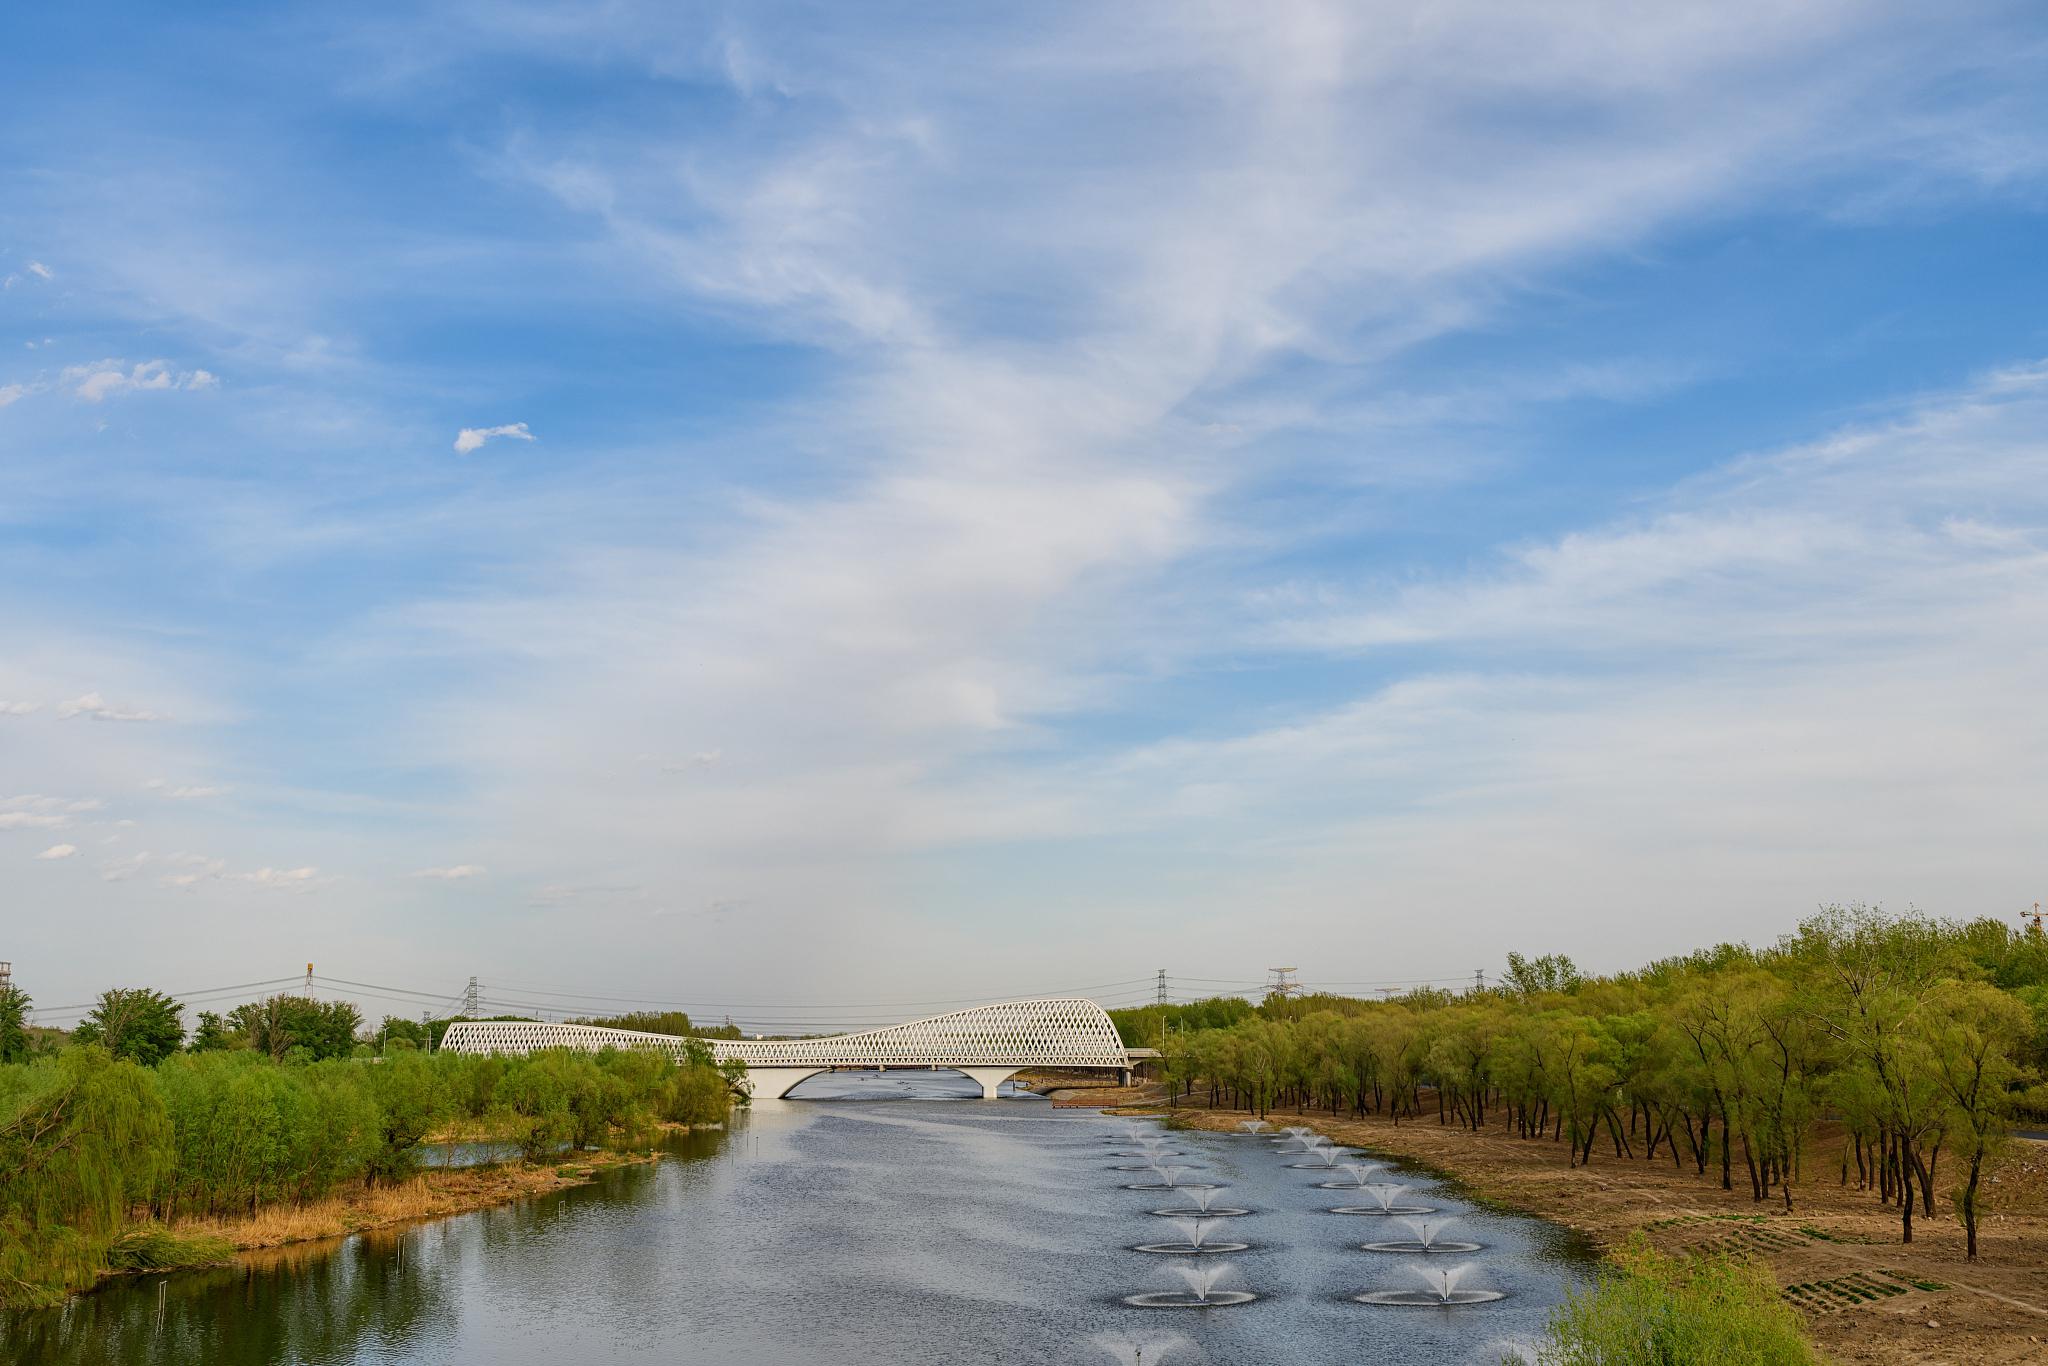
[787, 505]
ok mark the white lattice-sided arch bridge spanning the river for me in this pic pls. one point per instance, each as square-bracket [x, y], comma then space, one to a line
[988, 1043]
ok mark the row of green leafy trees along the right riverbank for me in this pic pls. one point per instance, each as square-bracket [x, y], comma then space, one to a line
[1916, 1041]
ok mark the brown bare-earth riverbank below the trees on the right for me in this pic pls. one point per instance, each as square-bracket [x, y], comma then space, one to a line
[1867, 1297]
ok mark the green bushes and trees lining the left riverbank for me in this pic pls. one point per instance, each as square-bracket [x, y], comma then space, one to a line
[128, 1125]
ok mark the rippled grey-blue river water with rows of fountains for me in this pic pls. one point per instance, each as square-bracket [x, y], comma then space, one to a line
[882, 1222]
